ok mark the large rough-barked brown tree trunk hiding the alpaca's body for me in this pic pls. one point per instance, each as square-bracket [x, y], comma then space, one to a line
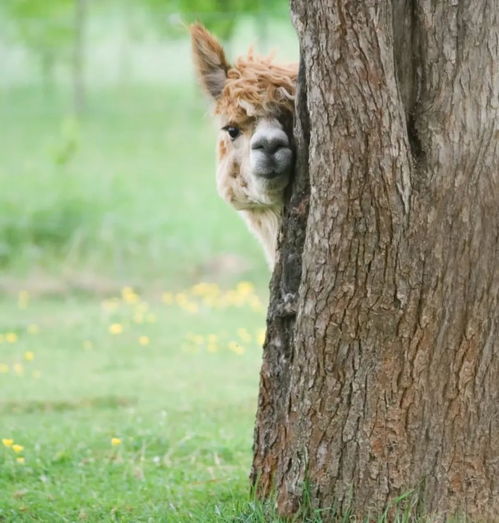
[381, 372]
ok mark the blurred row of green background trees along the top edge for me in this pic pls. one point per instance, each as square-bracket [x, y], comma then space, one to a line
[56, 33]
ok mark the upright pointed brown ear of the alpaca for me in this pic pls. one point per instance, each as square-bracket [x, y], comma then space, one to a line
[209, 59]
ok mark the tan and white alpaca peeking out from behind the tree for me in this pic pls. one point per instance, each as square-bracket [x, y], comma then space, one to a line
[254, 103]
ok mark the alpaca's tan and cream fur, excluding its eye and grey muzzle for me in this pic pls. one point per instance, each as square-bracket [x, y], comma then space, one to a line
[253, 89]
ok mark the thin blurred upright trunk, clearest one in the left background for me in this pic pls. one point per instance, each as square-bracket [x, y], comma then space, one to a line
[79, 56]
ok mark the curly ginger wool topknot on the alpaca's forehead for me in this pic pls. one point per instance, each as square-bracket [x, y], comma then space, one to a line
[255, 86]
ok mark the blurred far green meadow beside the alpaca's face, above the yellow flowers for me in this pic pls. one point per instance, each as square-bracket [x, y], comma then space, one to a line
[126, 192]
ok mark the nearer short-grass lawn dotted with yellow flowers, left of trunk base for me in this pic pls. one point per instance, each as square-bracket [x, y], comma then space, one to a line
[128, 409]
